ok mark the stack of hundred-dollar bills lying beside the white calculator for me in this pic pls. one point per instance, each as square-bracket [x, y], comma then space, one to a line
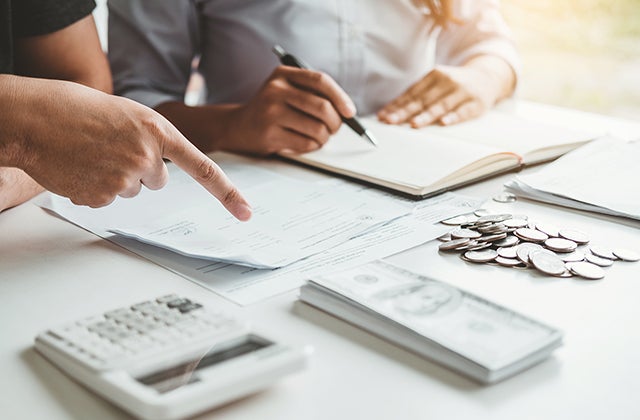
[467, 333]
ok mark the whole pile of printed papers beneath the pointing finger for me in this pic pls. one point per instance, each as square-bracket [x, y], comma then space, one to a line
[273, 196]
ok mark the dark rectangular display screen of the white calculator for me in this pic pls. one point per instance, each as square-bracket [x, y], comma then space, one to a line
[175, 377]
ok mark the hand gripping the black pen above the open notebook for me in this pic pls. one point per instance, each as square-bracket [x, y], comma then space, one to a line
[296, 110]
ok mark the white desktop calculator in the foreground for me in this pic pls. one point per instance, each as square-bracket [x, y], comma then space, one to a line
[168, 358]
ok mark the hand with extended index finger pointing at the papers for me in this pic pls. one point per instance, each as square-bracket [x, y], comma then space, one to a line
[92, 147]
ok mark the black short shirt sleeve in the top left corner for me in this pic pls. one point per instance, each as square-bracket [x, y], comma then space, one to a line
[39, 17]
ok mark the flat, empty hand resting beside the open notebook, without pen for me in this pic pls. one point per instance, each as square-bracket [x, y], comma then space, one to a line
[448, 95]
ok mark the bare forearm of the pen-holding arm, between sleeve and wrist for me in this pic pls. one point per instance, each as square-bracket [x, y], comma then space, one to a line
[208, 127]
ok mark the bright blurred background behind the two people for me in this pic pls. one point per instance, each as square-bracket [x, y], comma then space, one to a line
[582, 54]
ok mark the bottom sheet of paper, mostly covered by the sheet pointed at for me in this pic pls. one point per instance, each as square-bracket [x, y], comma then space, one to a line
[245, 285]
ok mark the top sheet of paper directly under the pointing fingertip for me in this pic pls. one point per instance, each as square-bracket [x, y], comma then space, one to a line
[292, 220]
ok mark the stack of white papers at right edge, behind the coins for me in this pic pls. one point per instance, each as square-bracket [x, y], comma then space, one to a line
[601, 176]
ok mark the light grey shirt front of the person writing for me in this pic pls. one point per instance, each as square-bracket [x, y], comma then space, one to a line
[374, 49]
